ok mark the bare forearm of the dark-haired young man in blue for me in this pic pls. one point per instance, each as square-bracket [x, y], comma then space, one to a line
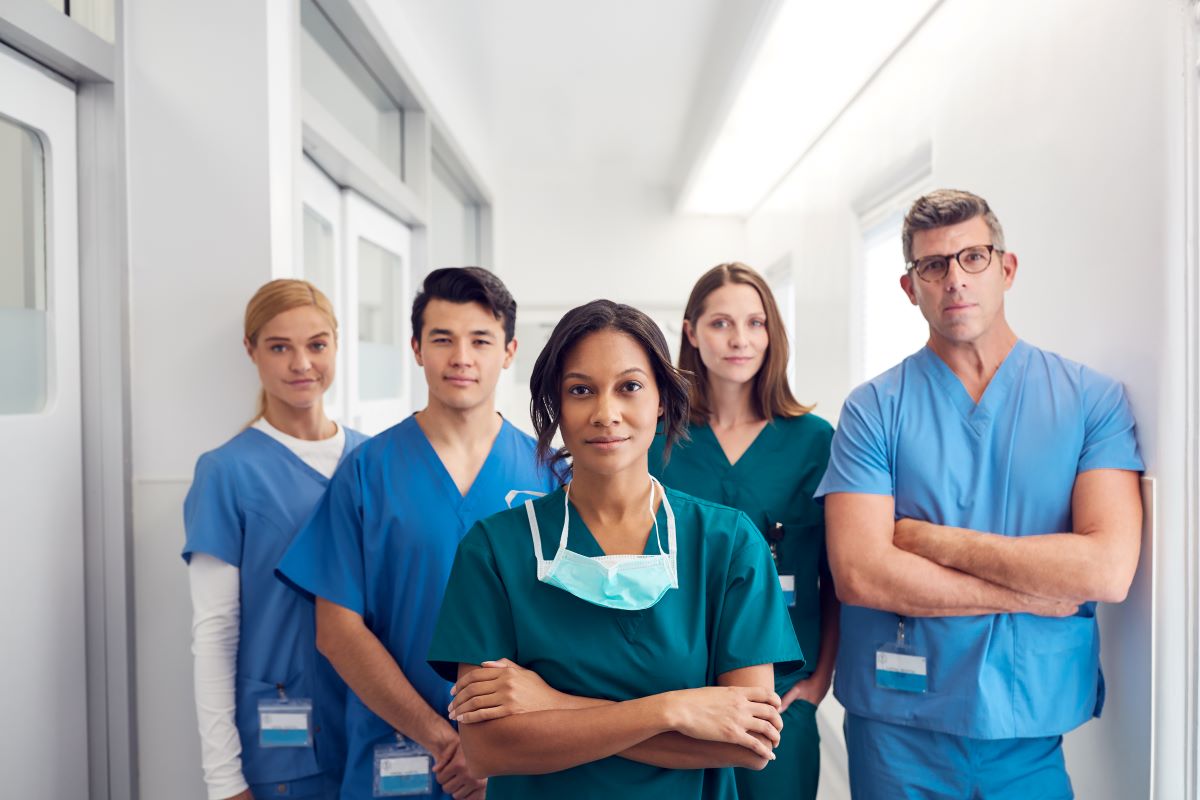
[370, 671]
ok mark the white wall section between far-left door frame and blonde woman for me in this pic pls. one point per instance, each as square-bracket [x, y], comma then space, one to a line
[202, 196]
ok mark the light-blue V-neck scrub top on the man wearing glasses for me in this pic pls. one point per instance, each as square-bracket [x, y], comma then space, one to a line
[1006, 466]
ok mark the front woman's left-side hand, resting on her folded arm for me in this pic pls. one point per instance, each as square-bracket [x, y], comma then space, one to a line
[501, 689]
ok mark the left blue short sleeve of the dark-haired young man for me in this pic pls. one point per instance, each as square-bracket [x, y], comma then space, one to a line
[326, 558]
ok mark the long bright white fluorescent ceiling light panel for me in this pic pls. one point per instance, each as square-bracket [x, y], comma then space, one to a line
[814, 61]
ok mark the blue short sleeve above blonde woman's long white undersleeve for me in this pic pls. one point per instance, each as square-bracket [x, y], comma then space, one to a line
[214, 521]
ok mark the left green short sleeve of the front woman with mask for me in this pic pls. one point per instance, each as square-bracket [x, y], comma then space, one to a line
[476, 623]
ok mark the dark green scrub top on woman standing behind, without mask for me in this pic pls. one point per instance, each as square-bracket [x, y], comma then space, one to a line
[773, 483]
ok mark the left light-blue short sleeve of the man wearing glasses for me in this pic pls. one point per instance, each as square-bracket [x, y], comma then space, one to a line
[859, 455]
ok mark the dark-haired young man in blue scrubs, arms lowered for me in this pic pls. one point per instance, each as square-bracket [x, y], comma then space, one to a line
[379, 550]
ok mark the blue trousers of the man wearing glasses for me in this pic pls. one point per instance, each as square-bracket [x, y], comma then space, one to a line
[893, 762]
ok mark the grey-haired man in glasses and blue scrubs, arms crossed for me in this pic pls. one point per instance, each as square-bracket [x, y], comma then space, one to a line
[982, 497]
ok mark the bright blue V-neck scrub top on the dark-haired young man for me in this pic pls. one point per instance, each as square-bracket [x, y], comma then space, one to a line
[382, 543]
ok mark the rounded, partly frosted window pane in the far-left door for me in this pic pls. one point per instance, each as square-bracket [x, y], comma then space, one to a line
[23, 314]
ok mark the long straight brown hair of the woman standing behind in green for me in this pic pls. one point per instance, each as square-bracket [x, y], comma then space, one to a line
[772, 394]
